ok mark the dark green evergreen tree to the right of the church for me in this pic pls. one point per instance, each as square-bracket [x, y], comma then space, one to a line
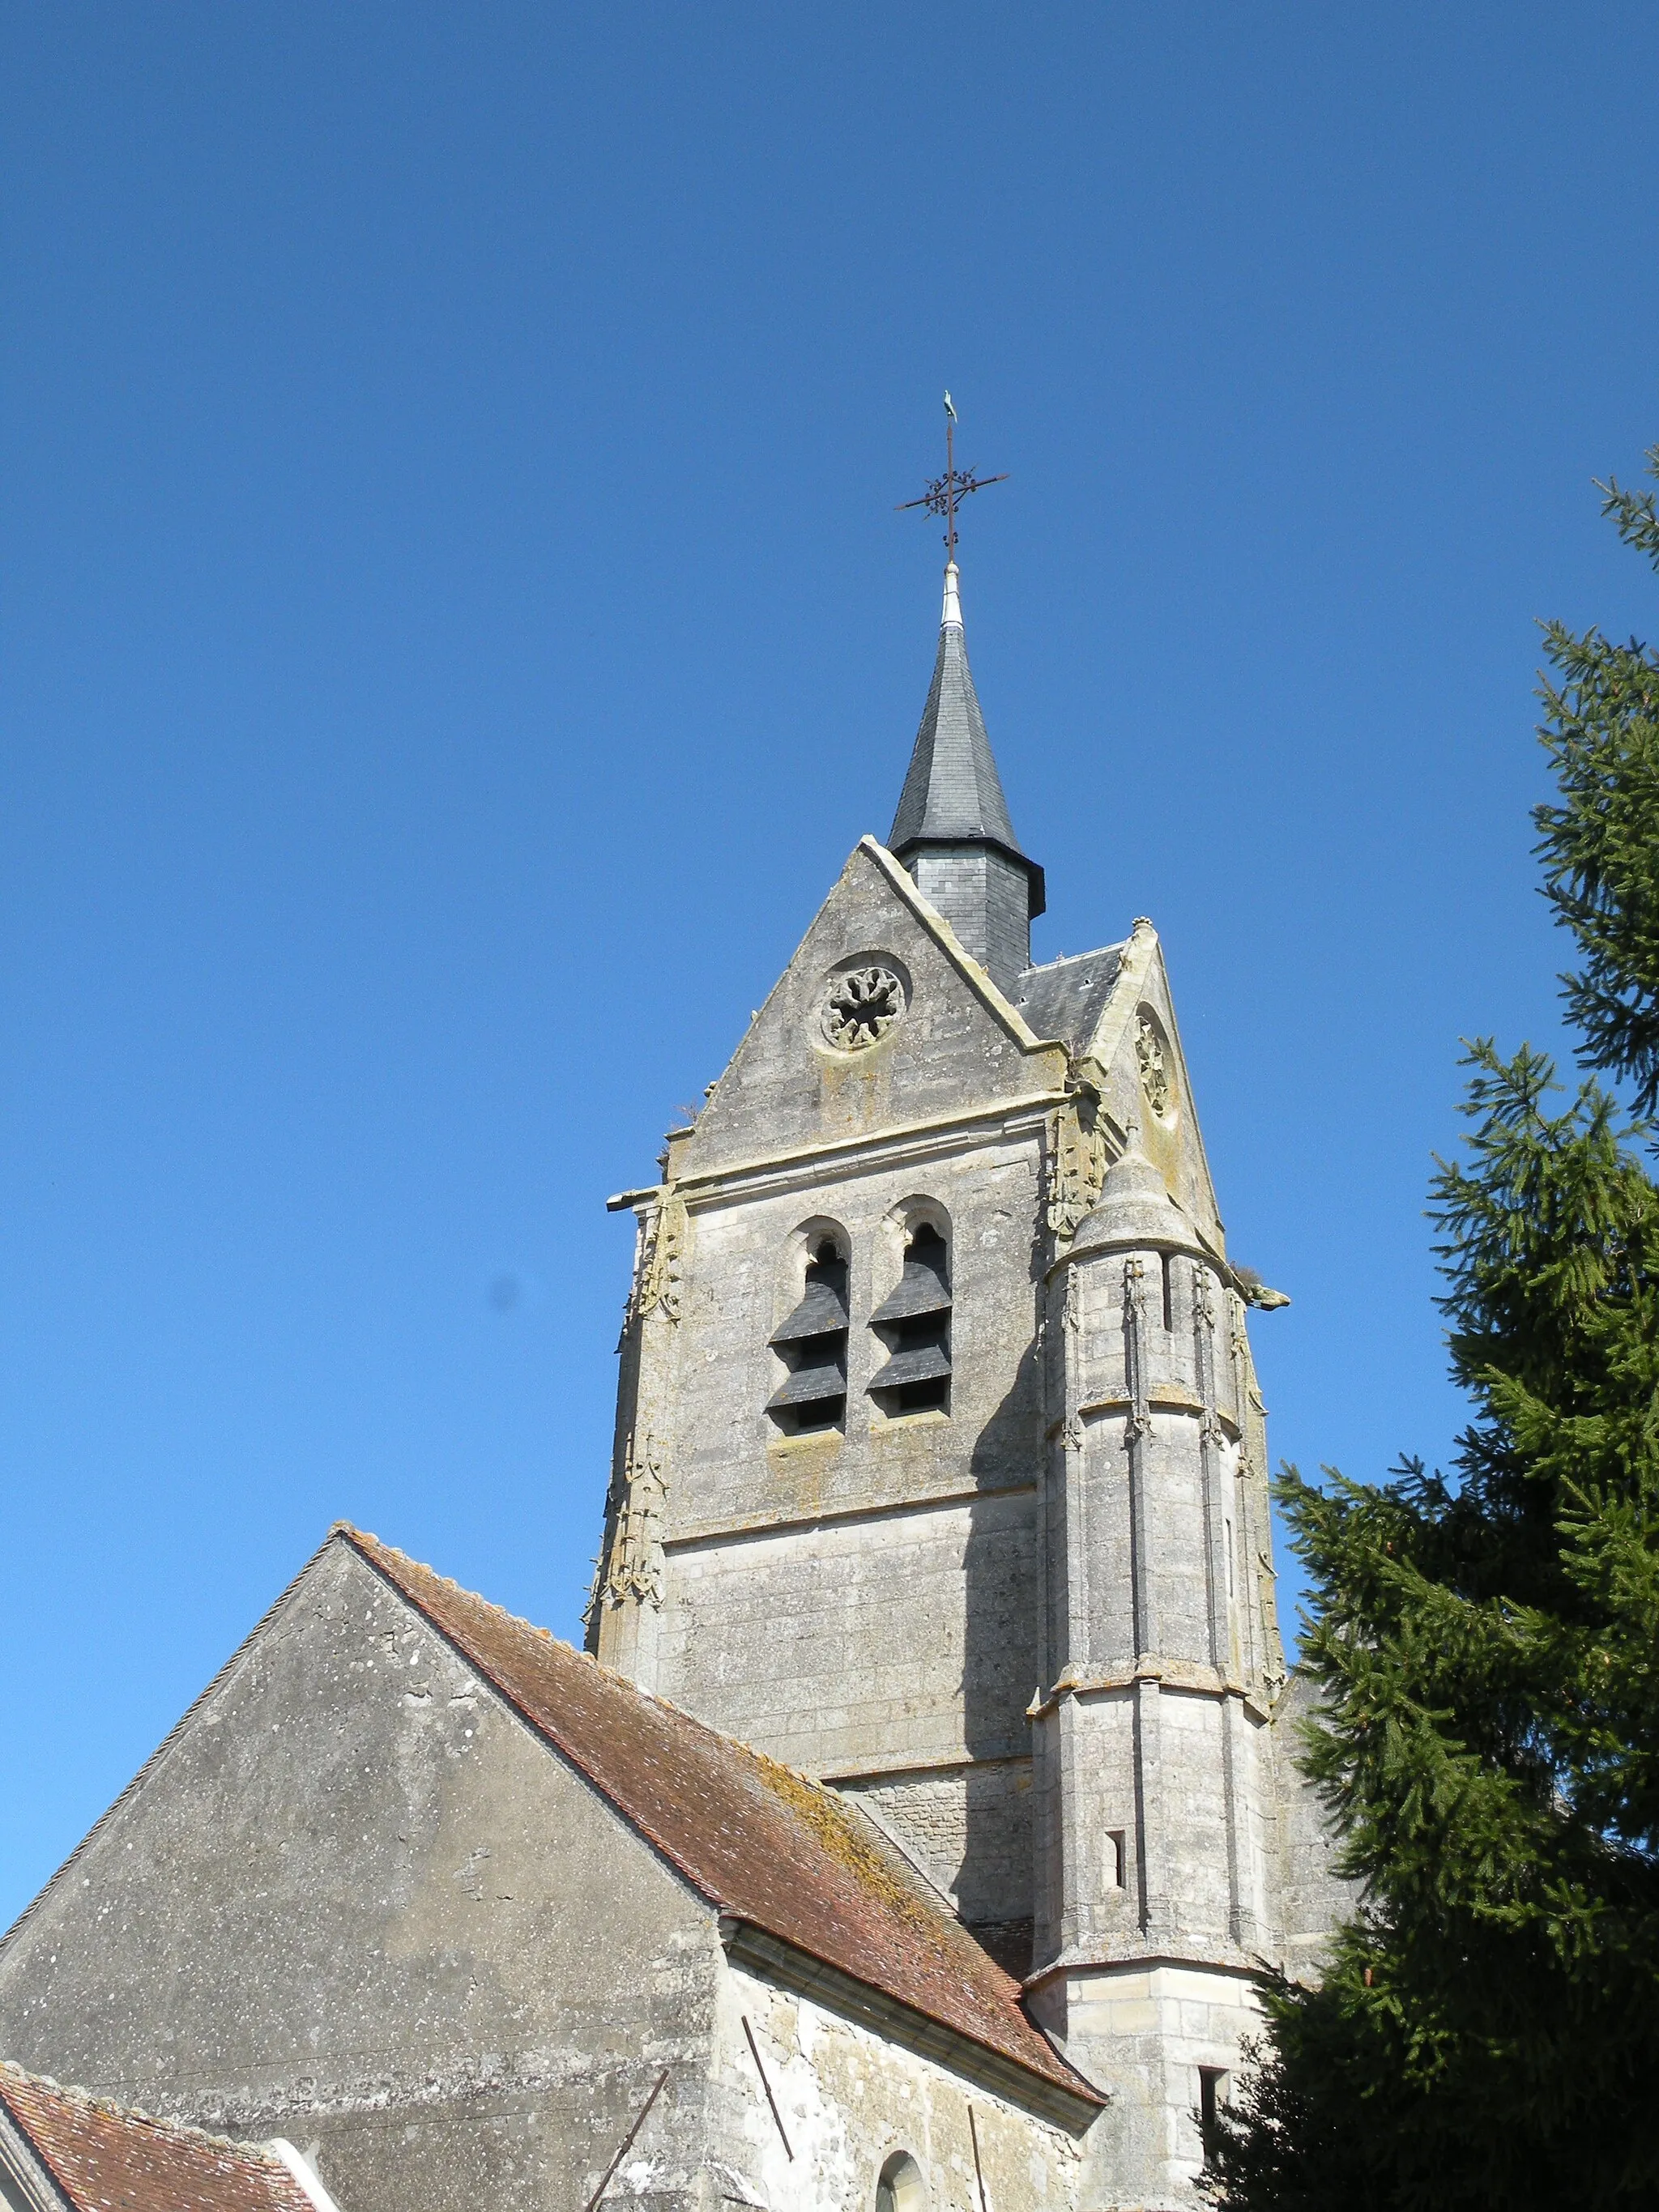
[1488, 1645]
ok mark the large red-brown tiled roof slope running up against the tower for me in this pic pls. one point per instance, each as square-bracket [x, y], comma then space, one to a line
[758, 1839]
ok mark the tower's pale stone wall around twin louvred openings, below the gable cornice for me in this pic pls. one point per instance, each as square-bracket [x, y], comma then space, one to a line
[866, 1600]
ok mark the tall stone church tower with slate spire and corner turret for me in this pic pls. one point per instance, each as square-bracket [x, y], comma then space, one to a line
[941, 1463]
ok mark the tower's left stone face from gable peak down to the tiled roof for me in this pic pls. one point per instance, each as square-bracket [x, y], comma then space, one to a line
[862, 1603]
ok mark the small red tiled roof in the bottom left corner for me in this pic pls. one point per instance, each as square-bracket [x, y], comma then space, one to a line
[112, 2160]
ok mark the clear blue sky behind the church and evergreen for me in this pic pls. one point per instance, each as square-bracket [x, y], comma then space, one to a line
[455, 627]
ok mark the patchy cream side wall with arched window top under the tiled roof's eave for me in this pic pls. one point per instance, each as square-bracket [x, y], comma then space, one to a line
[848, 2103]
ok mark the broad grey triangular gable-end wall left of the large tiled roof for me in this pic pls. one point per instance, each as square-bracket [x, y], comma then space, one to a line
[359, 1906]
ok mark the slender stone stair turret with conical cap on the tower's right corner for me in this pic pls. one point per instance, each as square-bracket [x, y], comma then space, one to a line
[1156, 1762]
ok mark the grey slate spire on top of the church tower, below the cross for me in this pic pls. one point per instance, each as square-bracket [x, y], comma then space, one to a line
[952, 828]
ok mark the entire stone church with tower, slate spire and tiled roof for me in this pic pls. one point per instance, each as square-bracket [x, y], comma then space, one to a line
[926, 1799]
